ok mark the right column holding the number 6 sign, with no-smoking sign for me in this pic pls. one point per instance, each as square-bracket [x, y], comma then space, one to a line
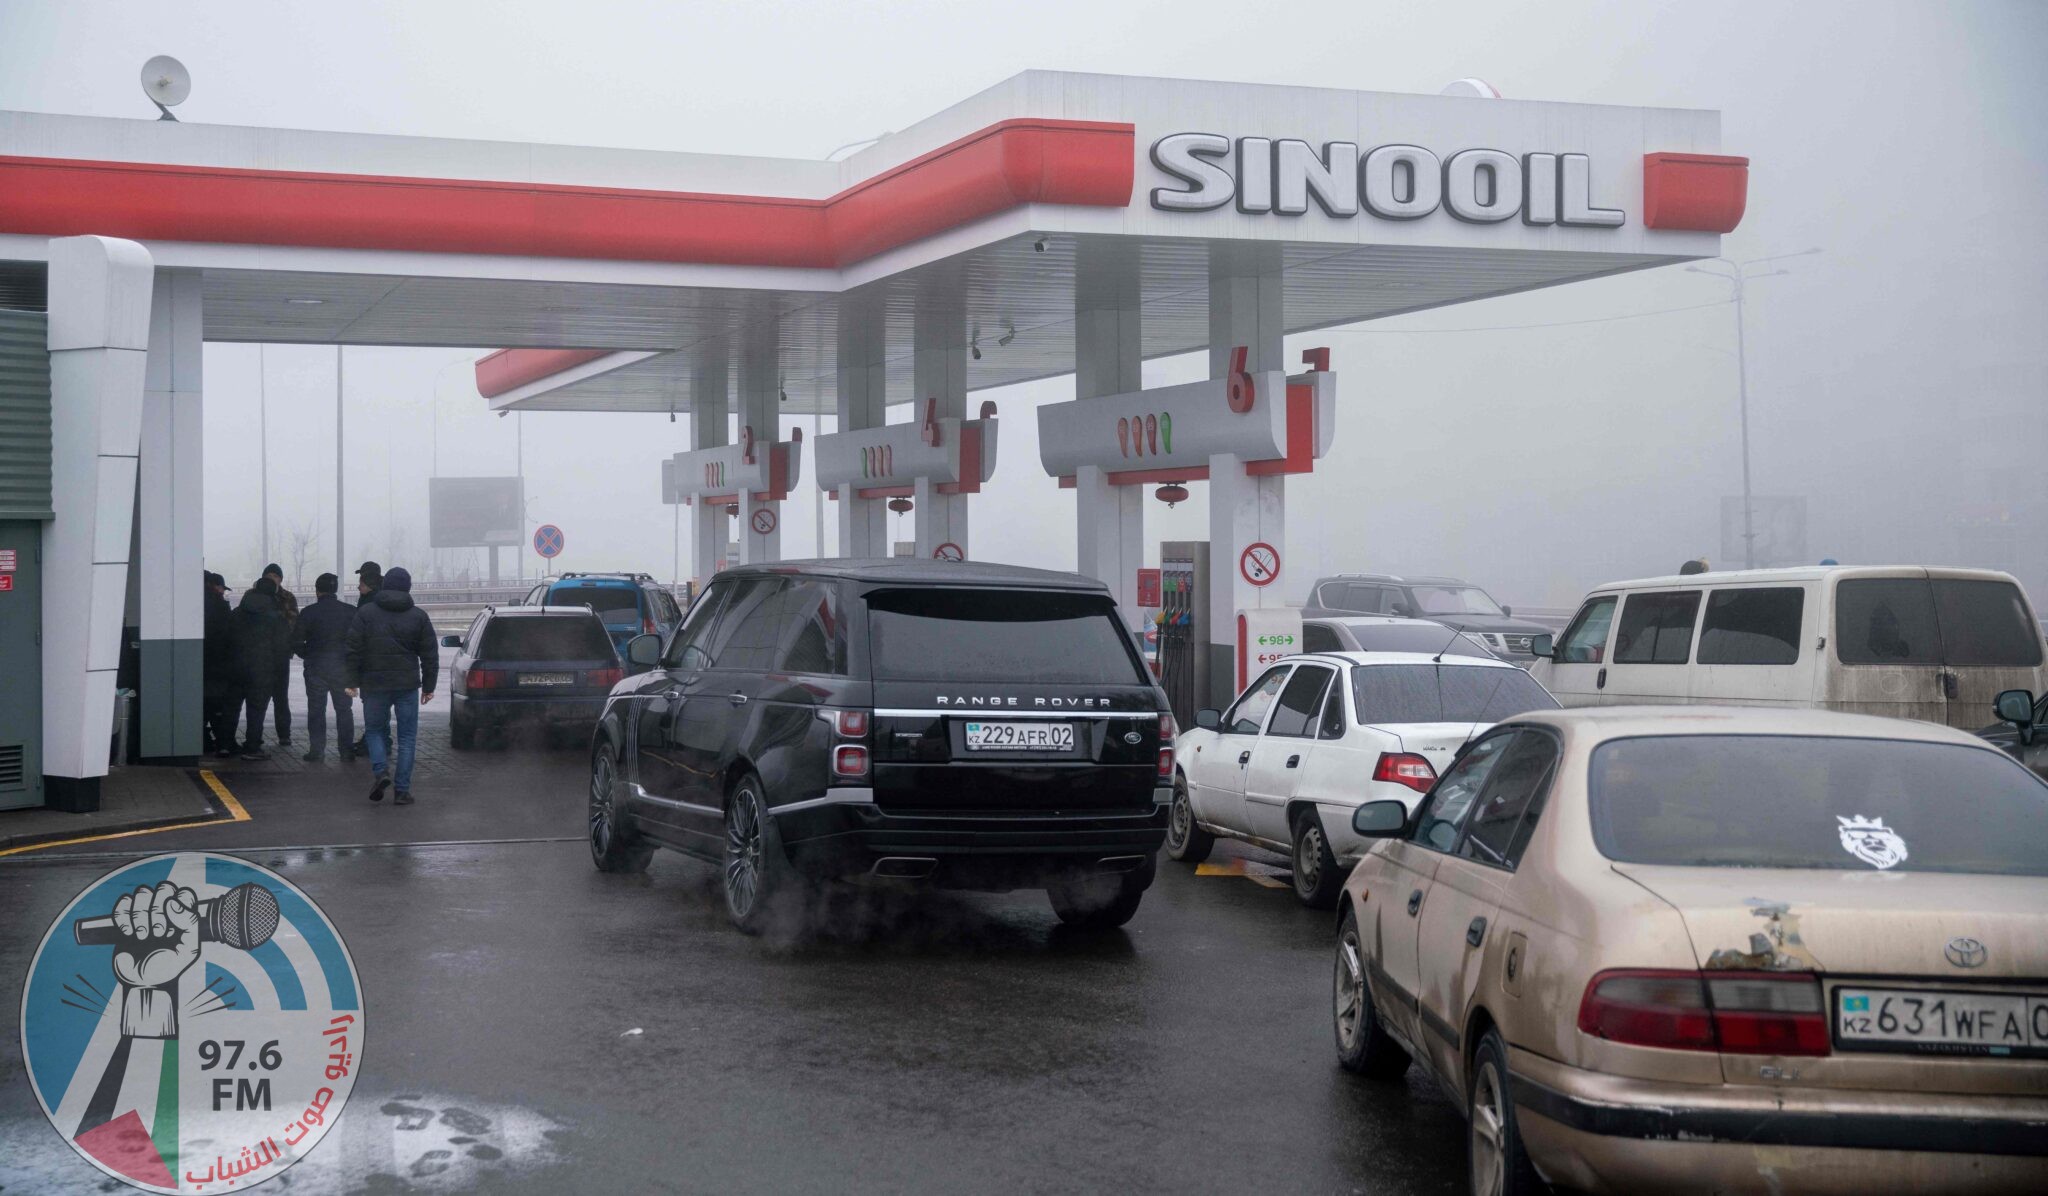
[1244, 310]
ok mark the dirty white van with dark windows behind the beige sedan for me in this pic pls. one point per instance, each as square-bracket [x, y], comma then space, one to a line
[1904, 642]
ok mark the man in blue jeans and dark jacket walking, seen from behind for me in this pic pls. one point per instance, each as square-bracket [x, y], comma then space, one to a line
[392, 660]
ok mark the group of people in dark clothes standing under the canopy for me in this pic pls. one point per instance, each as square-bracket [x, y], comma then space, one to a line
[382, 646]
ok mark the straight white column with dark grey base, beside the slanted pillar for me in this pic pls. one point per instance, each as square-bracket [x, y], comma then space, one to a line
[171, 548]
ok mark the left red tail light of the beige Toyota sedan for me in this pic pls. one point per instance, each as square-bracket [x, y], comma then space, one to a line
[1687, 1011]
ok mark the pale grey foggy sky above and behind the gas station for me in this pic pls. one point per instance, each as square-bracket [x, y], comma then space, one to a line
[1895, 380]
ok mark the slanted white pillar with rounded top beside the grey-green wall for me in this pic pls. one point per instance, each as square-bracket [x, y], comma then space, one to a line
[99, 341]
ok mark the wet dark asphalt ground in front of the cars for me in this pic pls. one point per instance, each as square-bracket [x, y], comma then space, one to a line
[540, 1027]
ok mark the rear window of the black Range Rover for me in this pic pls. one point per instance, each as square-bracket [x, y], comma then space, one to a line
[1000, 636]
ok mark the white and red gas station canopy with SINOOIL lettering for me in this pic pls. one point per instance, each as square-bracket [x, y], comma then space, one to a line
[654, 265]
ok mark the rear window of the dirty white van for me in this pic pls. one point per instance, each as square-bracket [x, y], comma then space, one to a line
[1949, 622]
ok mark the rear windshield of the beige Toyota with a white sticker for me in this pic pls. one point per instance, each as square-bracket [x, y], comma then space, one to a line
[1807, 802]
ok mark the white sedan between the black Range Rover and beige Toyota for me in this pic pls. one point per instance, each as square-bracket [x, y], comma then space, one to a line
[1322, 734]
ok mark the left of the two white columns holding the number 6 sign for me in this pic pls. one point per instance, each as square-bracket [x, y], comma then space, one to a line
[1107, 361]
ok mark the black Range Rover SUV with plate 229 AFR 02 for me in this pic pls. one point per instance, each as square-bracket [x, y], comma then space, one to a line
[953, 724]
